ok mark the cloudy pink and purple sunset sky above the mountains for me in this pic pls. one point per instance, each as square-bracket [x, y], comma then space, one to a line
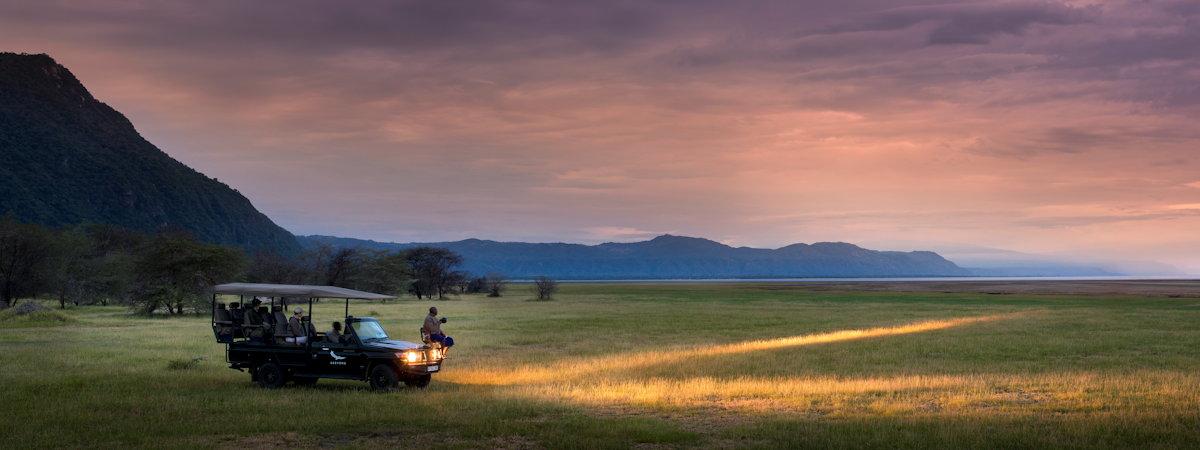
[1053, 128]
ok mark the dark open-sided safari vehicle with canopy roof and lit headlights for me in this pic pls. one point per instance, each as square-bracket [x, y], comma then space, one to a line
[267, 349]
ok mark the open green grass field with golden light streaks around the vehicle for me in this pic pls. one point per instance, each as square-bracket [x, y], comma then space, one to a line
[649, 365]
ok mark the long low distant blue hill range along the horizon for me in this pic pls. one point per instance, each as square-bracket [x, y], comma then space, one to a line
[673, 257]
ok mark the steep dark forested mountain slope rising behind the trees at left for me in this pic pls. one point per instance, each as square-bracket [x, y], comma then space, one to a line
[67, 159]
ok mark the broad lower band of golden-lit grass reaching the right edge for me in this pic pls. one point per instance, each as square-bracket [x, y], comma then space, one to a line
[914, 395]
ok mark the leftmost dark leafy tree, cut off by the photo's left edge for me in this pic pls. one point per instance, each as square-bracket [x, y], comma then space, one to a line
[26, 253]
